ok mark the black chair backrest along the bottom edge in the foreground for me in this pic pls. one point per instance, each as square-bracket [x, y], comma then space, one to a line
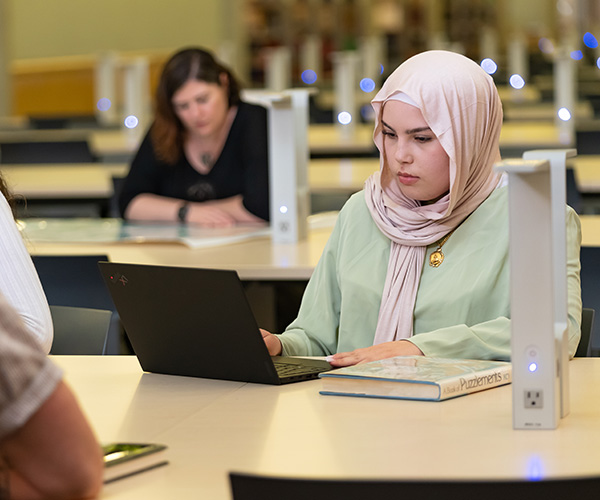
[250, 487]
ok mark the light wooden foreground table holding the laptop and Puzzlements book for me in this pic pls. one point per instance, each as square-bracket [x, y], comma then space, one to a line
[213, 427]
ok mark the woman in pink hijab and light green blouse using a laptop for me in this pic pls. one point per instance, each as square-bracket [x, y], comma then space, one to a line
[417, 263]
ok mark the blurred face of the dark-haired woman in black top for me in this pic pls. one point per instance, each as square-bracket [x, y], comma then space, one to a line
[201, 107]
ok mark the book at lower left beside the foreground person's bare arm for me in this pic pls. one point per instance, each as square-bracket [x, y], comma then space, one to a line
[122, 460]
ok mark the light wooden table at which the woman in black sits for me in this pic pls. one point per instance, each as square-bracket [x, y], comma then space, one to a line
[255, 257]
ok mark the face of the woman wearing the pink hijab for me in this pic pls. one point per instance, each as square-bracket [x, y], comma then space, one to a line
[415, 159]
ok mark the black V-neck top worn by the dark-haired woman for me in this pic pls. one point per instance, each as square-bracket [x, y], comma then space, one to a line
[242, 168]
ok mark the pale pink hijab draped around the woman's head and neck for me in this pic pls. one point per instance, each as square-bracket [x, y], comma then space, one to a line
[460, 103]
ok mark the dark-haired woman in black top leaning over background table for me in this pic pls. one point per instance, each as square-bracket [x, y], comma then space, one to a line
[205, 158]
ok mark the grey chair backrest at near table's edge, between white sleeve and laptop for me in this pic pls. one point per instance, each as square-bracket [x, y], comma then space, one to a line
[79, 330]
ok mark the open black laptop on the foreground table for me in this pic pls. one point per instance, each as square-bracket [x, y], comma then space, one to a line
[198, 323]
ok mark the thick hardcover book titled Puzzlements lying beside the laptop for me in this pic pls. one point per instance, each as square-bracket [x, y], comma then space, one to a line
[416, 377]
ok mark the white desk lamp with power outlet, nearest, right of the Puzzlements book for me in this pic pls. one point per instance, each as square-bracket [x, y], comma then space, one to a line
[539, 345]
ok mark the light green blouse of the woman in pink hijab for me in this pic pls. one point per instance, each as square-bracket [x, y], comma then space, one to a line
[462, 307]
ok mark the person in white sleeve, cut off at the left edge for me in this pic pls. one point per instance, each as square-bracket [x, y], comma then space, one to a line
[19, 282]
